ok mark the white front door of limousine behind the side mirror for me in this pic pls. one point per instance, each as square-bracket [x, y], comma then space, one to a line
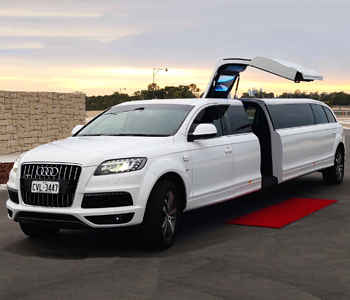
[212, 162]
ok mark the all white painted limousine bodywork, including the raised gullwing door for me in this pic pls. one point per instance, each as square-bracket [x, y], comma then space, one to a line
[210, 170]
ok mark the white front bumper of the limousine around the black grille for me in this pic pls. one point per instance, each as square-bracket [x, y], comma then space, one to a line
[138, 184]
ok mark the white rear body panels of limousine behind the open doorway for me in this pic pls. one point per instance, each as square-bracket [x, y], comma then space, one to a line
[306, 149]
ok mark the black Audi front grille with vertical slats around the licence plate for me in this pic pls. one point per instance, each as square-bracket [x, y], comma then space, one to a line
[66, 175]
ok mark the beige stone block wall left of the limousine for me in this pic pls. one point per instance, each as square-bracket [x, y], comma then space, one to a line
[28, 120]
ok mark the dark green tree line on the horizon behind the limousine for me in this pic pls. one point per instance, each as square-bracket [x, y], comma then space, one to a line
[153, 91]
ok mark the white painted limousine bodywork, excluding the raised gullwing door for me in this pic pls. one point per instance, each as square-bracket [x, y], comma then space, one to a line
[212, 170]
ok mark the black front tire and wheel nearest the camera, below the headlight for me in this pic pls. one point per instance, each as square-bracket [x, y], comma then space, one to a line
[161, 220]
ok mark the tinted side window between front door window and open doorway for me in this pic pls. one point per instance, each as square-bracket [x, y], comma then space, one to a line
[235, 120]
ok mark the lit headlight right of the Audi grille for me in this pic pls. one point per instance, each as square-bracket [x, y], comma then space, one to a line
[121, 166]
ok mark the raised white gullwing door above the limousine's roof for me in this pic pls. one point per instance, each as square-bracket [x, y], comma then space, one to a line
[227, 73]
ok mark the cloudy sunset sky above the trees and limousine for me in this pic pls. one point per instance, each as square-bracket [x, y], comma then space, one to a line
[100, 47]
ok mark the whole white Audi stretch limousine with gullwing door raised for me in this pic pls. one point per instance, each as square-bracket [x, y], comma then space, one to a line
[145, 162]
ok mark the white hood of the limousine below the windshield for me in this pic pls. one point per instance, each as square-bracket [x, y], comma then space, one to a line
[92, 151]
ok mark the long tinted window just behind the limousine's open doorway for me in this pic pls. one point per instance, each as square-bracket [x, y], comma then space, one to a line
[291, 115]
